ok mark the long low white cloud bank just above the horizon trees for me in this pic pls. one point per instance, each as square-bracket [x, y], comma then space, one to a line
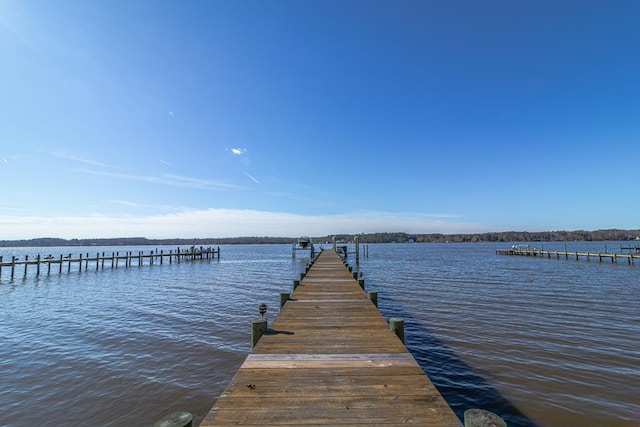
[223, 223]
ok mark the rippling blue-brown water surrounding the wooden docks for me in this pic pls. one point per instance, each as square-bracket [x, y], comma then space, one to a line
[541, 342]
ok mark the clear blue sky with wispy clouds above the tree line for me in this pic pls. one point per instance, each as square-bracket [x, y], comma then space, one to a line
[283, 118]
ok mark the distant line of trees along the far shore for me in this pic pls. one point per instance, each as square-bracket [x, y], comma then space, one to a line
[398, 237]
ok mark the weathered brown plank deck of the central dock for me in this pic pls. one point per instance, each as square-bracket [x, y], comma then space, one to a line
[329, 359]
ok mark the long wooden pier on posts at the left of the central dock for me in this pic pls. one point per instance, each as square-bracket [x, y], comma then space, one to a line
[64, 262]
